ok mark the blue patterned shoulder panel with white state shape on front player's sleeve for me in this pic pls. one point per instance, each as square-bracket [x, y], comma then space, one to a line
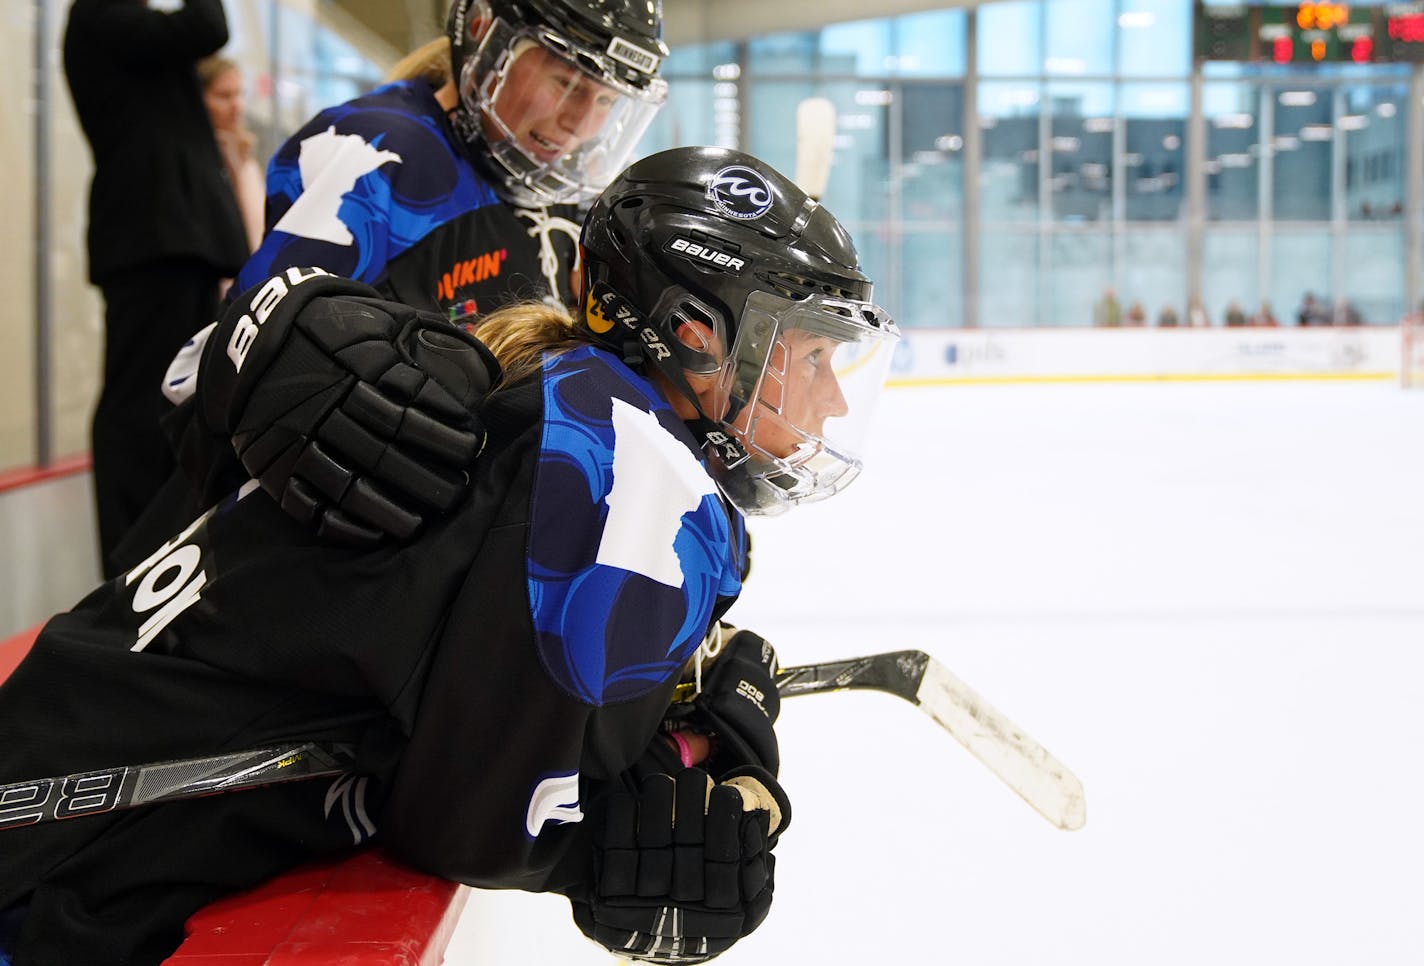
[630, 545]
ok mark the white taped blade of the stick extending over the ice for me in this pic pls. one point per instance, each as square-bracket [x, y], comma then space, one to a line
[1022, 763]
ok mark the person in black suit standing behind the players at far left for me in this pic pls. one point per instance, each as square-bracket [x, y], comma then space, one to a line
[164, 224]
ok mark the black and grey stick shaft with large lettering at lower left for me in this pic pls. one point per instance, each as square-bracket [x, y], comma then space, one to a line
[108, 790]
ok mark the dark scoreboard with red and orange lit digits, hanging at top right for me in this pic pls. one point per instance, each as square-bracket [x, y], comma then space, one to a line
[1311, 33]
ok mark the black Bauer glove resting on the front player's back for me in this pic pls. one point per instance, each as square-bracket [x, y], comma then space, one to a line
[357, 415]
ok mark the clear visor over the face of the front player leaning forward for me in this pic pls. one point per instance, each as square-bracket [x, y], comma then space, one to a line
[798, 393]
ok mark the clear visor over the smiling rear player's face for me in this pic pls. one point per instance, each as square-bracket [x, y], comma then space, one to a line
[553, 115]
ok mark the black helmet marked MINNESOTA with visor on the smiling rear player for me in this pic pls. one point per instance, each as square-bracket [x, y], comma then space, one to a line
[555, 95]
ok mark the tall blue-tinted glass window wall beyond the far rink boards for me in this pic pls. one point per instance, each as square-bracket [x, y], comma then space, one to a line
[1084, 120]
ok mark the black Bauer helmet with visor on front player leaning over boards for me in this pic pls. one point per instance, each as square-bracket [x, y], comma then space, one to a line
[718, 273]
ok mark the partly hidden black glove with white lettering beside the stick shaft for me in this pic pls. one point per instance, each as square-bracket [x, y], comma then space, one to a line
[737, 707]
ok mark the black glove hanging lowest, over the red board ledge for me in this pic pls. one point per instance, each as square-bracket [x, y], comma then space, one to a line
[684, 868]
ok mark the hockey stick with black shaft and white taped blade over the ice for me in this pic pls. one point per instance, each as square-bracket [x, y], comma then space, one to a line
[1022, 763]
